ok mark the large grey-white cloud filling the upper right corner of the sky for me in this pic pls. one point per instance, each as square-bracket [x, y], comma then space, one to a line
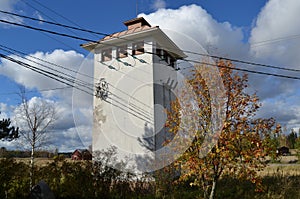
[274, 33]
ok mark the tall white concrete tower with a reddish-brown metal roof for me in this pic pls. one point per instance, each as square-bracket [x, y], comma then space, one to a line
[134, 73]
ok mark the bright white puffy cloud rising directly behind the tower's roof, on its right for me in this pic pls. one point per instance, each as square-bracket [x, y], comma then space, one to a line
[193, 21]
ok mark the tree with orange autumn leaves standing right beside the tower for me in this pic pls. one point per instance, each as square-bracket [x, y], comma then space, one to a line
[243, 141]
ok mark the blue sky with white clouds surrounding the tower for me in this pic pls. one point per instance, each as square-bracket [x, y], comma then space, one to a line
[231, 28]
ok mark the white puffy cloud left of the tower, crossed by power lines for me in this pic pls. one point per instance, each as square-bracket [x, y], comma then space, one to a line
[33, 80]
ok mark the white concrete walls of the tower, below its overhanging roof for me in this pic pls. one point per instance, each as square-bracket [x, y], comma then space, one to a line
[132, 118]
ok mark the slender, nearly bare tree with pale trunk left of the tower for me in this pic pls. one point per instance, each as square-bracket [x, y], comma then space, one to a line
[35, 118]
